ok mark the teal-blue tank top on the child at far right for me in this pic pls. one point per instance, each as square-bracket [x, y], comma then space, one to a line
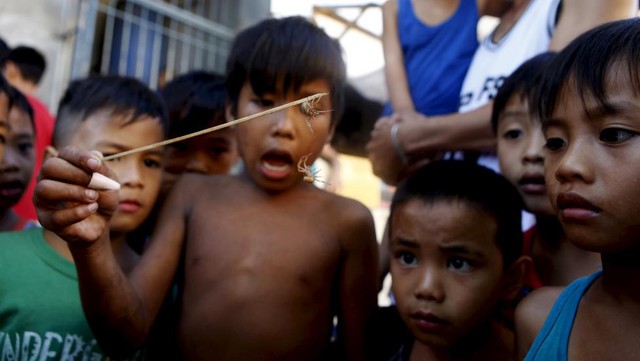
[552, 343]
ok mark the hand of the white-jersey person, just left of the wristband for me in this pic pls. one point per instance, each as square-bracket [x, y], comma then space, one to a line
[382, 153]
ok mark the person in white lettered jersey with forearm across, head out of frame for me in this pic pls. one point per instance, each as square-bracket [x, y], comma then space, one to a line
[526, 28]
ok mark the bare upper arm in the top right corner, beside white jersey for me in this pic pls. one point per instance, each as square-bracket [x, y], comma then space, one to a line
[578, 16]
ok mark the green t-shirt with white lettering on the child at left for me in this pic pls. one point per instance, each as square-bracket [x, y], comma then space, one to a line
[41, 316]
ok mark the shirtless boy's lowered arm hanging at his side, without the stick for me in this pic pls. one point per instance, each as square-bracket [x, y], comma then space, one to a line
[357, 279]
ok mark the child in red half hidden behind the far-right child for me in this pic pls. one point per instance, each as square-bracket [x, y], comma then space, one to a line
[520, 142]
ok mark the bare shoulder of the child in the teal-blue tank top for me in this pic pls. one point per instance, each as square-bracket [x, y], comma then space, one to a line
[531, 314]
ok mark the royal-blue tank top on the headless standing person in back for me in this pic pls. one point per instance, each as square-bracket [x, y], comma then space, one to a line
[436, 58]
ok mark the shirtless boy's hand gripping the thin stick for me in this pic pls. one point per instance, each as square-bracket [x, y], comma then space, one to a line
[64, 203]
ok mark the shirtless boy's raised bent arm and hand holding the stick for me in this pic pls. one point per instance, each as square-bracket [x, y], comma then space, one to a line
[120, 310]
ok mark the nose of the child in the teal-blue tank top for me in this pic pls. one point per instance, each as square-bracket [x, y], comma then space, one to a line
[575, 163]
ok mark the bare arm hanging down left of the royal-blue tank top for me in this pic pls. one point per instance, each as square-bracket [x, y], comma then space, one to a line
[395, 73]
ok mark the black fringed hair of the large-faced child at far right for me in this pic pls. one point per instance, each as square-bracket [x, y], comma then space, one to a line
[588, 61]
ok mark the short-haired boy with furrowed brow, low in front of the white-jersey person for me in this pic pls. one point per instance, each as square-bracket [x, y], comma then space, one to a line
[455, 258]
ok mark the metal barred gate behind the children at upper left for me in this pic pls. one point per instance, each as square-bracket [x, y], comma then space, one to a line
[152, 40]
